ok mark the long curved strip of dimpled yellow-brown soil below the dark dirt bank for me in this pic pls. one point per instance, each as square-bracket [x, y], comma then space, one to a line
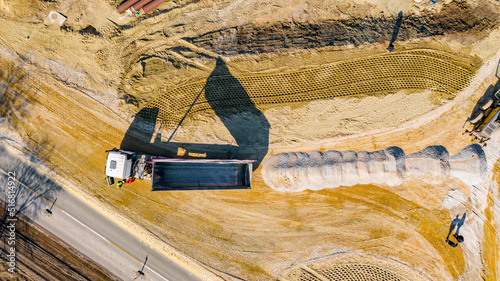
[415, 69]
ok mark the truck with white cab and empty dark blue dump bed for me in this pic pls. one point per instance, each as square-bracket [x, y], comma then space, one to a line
[179, 174]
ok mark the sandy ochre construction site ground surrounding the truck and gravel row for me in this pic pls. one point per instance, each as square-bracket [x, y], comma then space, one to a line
[291, 76]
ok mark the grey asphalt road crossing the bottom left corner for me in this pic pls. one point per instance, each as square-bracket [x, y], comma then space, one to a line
[82, 227]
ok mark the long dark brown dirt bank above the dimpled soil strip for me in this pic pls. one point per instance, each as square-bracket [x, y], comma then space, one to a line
[457, 16]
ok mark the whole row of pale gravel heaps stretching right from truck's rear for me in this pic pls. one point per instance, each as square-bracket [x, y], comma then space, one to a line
[298, 171]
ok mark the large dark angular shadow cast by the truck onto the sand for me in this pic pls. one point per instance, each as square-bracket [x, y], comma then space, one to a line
[230, 102]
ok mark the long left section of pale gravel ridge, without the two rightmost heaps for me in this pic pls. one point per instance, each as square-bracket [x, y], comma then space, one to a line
[297, 171]
